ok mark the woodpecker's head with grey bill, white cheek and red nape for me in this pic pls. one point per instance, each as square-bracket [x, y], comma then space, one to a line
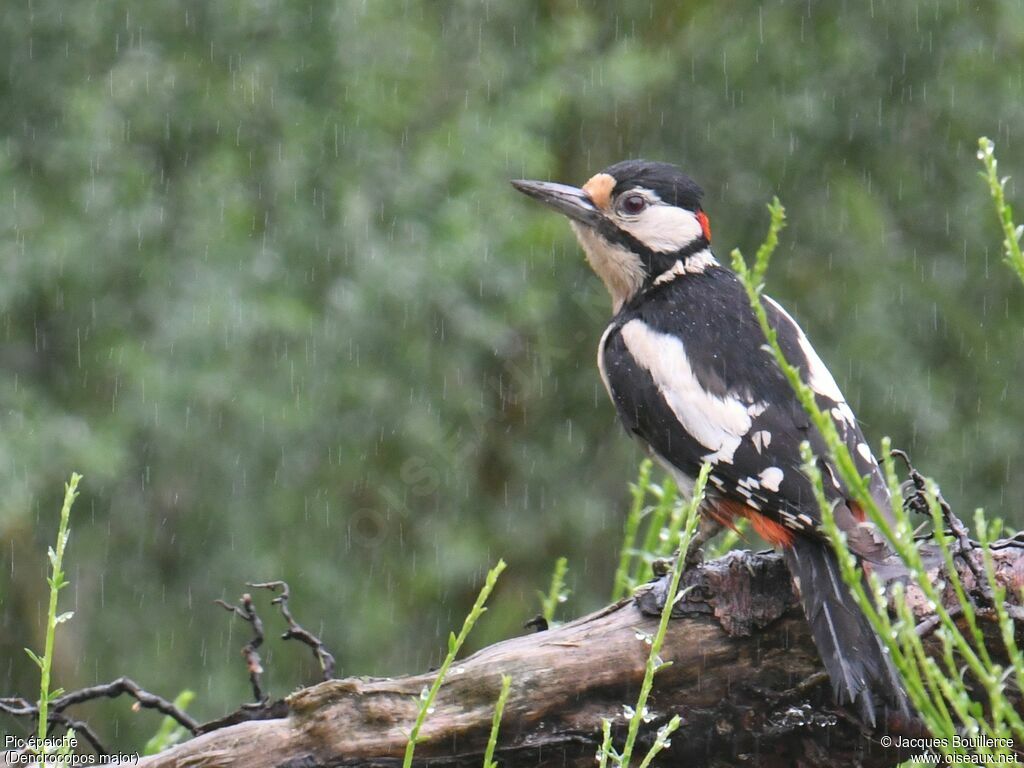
[638, 222]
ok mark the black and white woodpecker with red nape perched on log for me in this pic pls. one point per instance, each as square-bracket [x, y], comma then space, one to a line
[687, 365]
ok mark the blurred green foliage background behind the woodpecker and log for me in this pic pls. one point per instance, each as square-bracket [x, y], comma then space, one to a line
[265, 284]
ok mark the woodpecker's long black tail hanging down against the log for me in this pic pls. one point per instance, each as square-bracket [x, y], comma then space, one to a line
[861, 669]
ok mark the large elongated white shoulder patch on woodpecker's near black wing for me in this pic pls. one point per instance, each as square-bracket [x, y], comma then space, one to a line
[717, 423]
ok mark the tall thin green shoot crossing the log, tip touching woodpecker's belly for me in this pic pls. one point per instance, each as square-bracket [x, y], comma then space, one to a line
[639, 714]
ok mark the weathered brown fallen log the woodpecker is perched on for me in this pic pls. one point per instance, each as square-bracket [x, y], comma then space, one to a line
[745, 677]
